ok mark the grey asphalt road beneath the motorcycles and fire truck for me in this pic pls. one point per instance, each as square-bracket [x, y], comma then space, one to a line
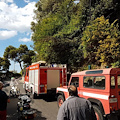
[46, 106]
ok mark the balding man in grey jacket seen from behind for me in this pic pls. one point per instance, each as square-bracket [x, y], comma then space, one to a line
[76, 108]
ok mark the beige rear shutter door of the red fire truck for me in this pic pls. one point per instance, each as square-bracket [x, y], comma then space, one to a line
[53, 78]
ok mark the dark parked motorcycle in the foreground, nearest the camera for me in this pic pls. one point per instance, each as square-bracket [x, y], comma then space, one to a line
[25, 112]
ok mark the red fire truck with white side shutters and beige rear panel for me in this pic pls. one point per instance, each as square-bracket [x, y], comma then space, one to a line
[42, 79]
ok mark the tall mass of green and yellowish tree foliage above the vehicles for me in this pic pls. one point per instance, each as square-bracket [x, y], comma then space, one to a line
[64, 29]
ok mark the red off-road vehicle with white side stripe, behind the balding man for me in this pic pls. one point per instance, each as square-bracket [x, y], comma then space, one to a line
[101, 87]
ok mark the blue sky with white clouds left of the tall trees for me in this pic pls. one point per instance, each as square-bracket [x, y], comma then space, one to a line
[15, 23]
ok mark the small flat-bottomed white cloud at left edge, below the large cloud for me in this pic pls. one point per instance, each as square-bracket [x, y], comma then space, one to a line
[7, 34]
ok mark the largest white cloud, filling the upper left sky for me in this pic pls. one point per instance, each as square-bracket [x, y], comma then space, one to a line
[14, 18]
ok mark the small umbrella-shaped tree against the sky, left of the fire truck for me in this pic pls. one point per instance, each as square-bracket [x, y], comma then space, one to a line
[20, 55]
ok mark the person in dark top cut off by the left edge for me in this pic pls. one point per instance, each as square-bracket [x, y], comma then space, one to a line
[4, 99]
